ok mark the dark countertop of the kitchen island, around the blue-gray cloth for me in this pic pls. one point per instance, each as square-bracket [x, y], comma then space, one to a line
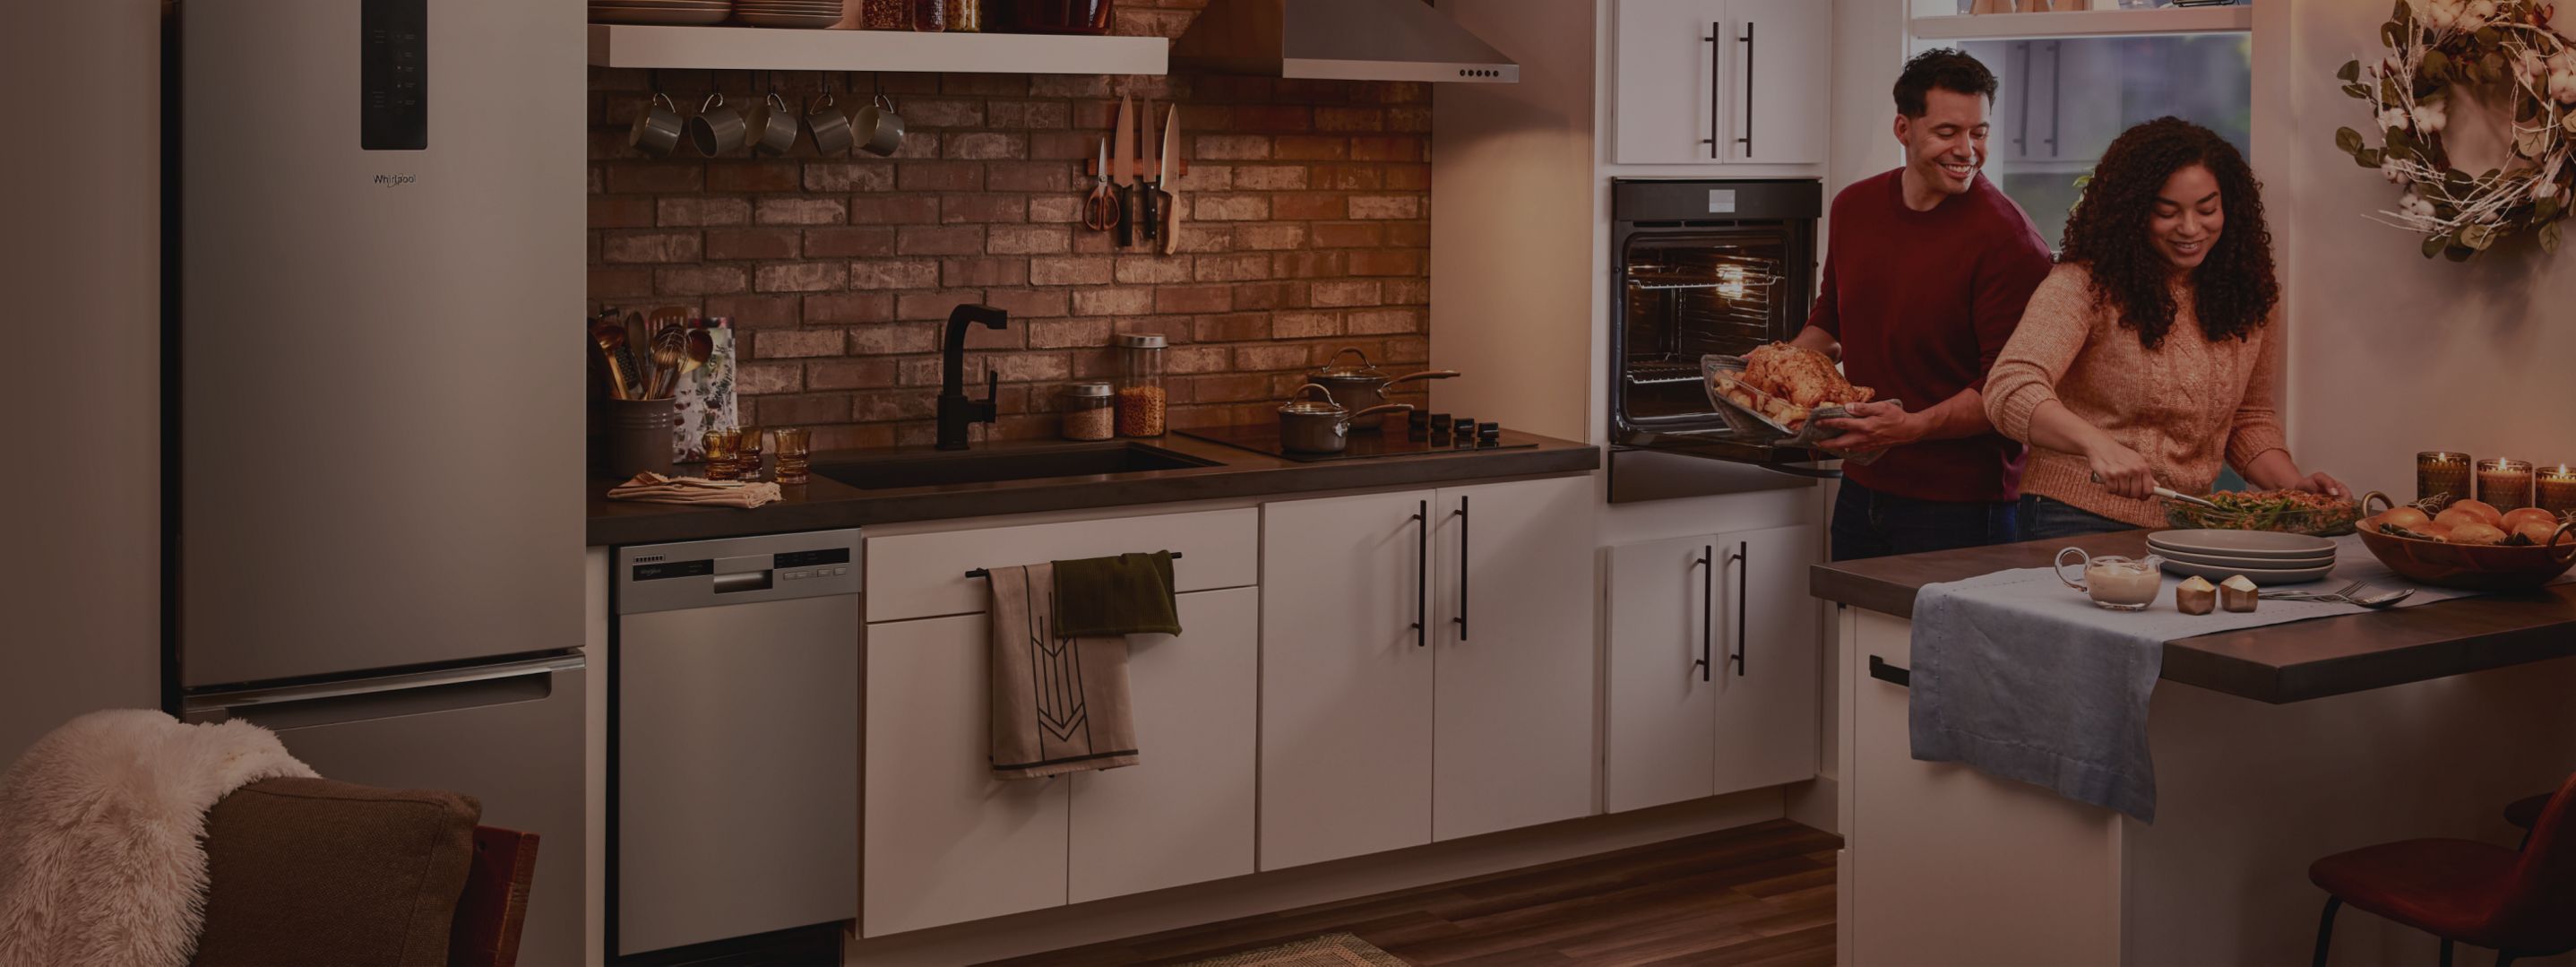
[2273, 664]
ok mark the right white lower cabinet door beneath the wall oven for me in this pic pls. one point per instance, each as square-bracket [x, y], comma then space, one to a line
[1768, 659]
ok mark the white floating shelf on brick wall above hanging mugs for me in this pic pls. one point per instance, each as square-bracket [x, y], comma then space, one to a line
[753, 48]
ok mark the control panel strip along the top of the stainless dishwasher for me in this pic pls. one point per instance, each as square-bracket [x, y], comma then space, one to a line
[738, 571]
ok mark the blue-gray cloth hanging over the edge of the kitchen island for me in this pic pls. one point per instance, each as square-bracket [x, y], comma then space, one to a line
[2026, 679]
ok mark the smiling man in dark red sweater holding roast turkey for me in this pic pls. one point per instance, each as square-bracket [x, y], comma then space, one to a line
[1926, 277]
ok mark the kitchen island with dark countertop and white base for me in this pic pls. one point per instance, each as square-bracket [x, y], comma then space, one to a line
[2273, 747]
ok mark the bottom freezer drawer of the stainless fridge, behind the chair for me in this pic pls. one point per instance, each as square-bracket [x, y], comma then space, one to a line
[509, 736]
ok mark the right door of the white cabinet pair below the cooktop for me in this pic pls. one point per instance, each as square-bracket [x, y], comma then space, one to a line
[1513, 602]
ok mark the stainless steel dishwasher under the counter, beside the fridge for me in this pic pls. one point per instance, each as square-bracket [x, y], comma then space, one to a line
[735, 723]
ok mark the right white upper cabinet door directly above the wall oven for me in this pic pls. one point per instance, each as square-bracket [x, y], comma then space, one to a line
[1779, 81]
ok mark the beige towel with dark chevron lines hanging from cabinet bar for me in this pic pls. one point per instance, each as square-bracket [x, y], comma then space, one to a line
[1057, 703]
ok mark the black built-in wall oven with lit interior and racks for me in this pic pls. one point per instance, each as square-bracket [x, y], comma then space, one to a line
[1701, 267]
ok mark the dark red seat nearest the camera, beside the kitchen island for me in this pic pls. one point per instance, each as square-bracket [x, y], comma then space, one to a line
[2515, 904]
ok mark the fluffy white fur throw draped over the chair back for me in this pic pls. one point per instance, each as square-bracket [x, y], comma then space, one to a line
[102, 821]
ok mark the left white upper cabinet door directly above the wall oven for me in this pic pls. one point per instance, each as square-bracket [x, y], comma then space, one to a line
[1665, 102]
